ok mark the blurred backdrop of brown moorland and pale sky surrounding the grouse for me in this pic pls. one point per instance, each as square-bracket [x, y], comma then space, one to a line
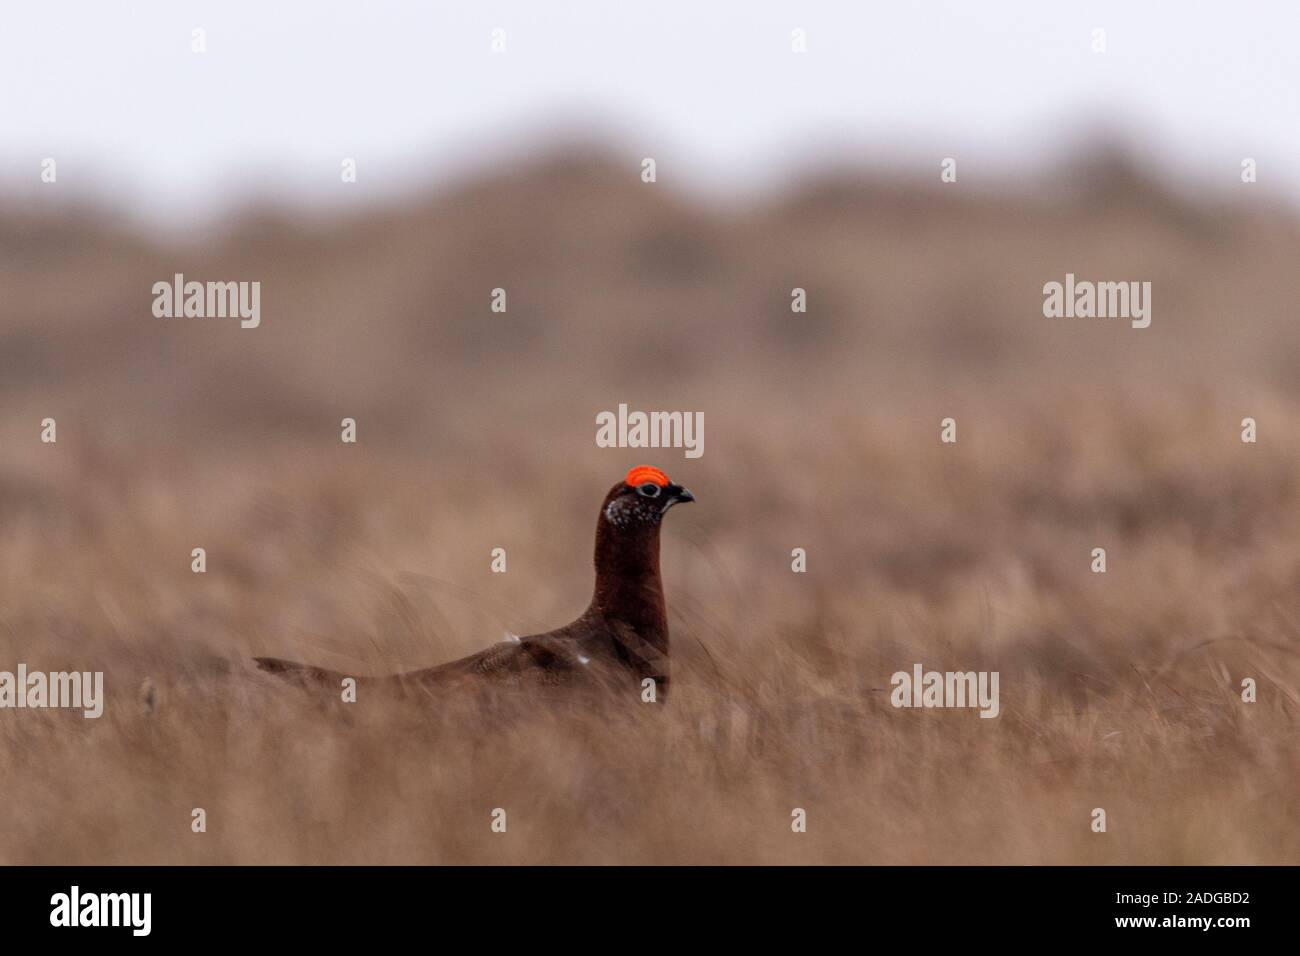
[775, 171]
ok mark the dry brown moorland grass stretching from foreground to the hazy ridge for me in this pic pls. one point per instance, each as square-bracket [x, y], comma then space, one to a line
[1119, 690]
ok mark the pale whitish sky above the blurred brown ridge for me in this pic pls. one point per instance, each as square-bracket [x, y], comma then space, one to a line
[411, 89]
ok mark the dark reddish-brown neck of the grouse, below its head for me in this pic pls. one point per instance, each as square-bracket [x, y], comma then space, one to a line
[629, 587]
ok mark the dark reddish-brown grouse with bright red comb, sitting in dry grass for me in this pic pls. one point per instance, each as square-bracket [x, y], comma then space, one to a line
[619, 643]
